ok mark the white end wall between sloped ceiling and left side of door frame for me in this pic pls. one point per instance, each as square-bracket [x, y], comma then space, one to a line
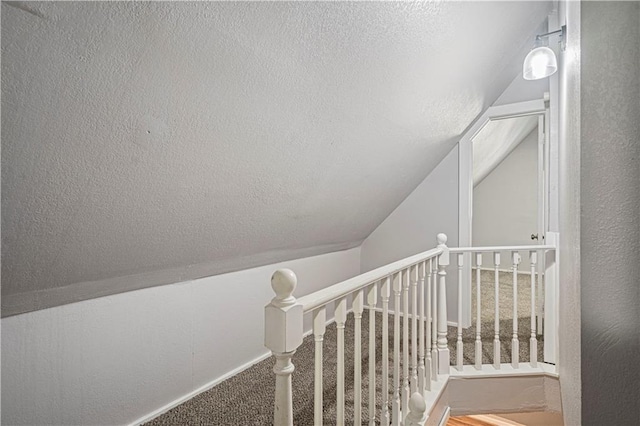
[412, 227]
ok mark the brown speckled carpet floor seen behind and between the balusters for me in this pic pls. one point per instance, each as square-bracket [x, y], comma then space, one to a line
[247, 398]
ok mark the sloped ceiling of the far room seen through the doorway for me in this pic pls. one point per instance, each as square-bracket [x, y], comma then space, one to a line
[496, 140]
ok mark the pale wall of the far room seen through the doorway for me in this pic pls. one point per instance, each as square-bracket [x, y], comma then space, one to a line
[505, 202]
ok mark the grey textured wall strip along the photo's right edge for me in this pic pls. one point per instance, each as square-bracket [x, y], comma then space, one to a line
[610, 212]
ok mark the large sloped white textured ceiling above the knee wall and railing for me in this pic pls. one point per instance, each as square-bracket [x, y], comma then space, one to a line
[147, 143]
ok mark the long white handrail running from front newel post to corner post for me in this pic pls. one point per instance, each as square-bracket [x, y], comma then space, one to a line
[341, 289]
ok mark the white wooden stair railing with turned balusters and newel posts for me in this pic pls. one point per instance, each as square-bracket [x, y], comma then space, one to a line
[417, 287]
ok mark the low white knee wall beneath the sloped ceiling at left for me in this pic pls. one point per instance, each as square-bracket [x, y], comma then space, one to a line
[115, 359]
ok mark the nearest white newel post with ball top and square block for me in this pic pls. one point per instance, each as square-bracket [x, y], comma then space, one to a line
[283, 335]
